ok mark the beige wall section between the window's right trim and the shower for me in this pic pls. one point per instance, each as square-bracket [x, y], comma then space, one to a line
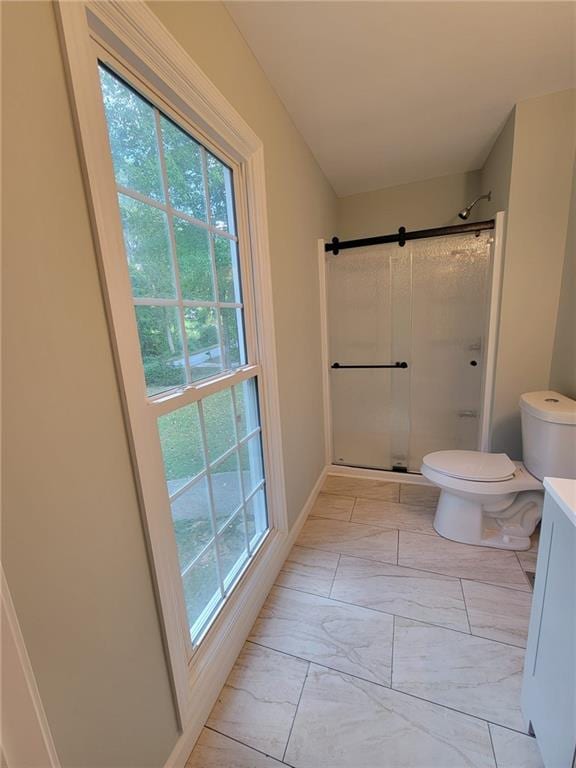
[301, 208]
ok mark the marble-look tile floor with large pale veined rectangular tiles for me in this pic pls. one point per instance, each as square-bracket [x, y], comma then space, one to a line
[381, 645]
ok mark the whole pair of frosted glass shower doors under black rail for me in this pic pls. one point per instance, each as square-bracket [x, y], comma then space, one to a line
[422, 308]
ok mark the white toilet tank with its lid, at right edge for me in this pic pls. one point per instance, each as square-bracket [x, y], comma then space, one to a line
[549, 434]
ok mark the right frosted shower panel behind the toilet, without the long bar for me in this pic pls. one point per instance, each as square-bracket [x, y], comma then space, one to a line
[449, 298]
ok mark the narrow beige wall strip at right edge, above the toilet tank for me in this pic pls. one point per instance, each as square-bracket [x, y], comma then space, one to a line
[563, 373]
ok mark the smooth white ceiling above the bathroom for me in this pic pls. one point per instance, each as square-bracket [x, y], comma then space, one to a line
[387, 93]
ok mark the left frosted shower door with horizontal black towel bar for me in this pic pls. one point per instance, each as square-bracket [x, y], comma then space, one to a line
[369, 325]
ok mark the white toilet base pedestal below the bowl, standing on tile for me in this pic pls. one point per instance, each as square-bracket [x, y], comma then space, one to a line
[509, 526]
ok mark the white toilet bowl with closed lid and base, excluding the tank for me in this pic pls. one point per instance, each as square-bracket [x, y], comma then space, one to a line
[486, 499]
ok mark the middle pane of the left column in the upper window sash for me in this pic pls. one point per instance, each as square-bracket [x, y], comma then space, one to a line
[147, 245]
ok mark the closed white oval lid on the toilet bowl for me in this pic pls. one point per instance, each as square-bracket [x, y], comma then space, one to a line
[471, 465]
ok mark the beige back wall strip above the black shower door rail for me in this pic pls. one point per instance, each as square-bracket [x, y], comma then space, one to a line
[422, 204]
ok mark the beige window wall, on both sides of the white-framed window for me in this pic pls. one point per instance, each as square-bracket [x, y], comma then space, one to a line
[73, 544]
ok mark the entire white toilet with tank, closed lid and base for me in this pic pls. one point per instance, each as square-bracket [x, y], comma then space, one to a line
[491, 501]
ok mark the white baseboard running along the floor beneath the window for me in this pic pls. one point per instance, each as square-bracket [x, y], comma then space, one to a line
[231, 630]
